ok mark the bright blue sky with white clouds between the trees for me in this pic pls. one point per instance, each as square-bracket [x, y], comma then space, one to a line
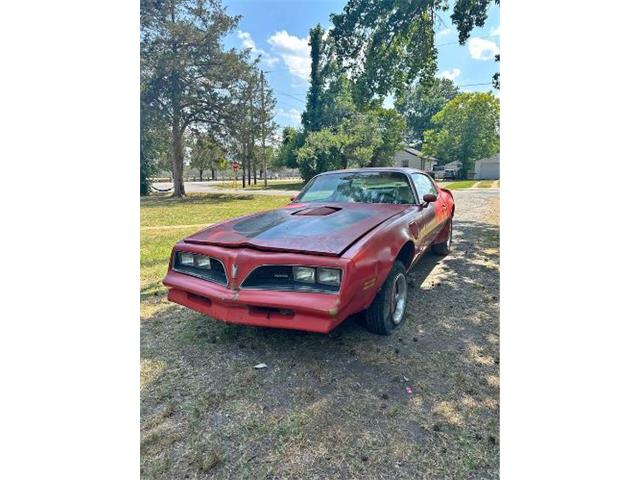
[278, 30]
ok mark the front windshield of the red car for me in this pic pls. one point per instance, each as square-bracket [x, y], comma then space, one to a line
[360, 187]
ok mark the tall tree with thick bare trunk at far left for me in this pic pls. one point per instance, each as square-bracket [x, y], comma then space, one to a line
[191, 79]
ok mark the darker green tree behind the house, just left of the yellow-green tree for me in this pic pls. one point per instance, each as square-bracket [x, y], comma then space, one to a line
[420, 102]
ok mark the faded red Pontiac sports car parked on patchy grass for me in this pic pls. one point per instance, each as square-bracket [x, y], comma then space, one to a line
[342, 246]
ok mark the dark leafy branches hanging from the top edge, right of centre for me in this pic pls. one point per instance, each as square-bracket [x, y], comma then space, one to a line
[387, 45]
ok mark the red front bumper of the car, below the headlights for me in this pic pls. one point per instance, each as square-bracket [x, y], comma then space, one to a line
[312, 312]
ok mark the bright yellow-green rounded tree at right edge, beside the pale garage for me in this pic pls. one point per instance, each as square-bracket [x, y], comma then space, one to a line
[466, 129]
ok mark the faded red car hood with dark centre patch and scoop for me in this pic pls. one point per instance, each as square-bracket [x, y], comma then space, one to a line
[322, 229]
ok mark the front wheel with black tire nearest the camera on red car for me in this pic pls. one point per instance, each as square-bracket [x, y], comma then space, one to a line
[381, 317]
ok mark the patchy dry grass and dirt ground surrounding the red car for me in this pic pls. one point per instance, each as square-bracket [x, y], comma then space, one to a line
[422, 403]
